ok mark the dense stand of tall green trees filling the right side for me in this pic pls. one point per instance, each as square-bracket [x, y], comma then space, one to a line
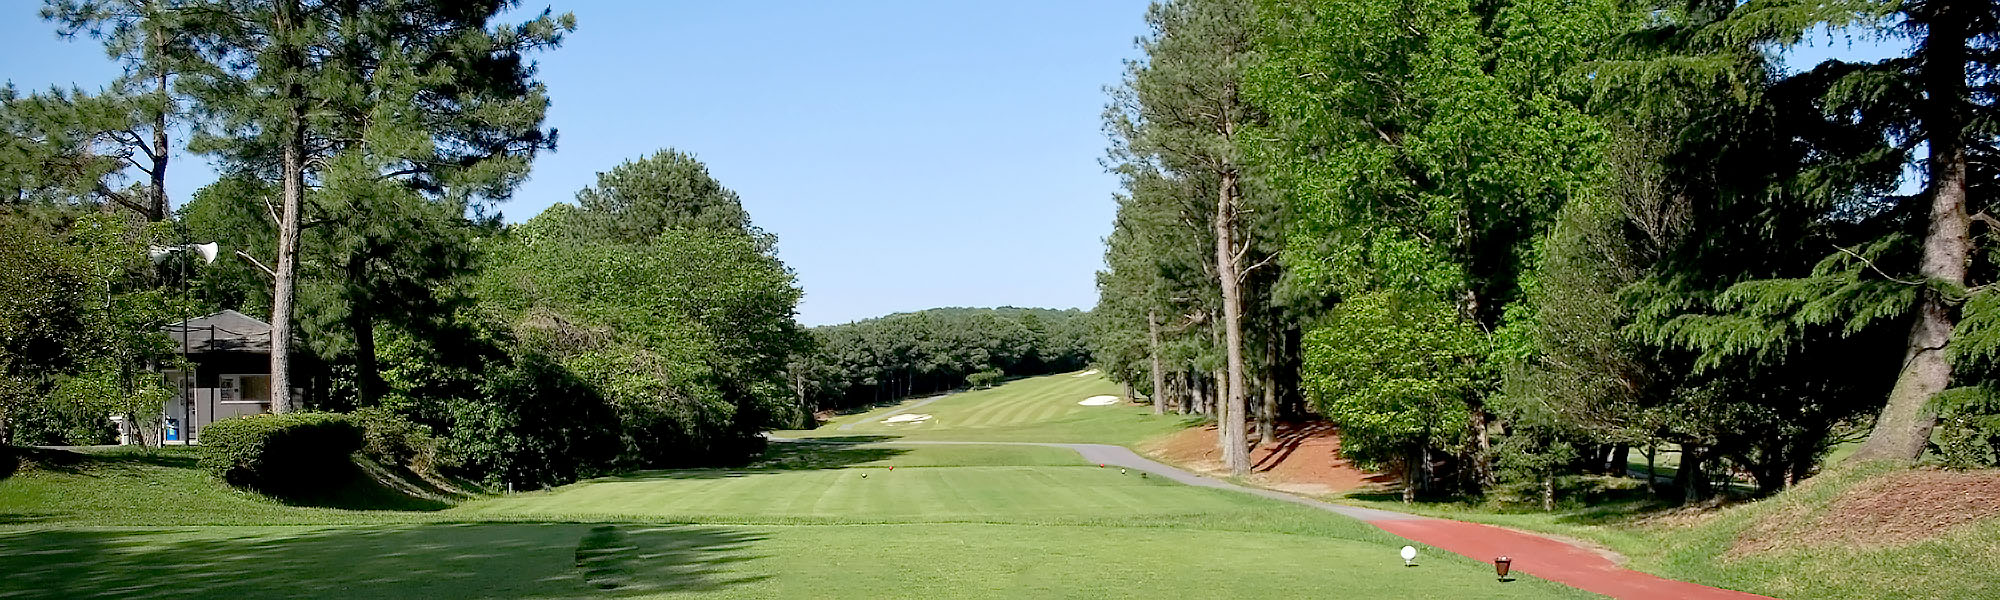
[1505, 243]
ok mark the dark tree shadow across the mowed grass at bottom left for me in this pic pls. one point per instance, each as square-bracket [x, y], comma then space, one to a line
[439, 561]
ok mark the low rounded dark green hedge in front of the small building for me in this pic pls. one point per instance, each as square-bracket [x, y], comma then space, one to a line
[281, 453]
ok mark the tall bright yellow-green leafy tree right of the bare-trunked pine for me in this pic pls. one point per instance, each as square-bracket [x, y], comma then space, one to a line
[1425, 149]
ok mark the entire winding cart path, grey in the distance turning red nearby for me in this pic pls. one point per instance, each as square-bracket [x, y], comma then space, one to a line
[1535, 555]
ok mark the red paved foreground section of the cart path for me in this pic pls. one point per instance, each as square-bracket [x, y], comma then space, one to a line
[1549, 559]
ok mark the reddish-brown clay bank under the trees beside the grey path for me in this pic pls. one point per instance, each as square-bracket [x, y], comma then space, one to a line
[1305, 459]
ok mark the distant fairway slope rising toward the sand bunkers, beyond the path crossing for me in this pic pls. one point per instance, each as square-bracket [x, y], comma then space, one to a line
[1023, 411]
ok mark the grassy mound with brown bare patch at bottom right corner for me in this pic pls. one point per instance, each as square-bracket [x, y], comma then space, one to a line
[1853, 533]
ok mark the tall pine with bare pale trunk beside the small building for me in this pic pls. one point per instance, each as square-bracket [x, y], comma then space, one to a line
[361, 97]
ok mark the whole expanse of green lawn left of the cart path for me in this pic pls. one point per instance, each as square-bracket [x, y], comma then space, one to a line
[811, 521]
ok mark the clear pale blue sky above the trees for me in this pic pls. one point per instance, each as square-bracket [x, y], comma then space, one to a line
[907, 155]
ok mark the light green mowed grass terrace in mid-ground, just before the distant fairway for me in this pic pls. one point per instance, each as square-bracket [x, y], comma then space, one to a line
[911, 485]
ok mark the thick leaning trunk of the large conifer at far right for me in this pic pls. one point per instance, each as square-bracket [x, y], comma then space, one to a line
[1905, 425]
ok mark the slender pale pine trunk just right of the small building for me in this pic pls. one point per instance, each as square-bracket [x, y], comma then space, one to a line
[293, 171]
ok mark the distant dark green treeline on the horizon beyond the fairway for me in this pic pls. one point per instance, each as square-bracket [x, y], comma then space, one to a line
[933, 351]
